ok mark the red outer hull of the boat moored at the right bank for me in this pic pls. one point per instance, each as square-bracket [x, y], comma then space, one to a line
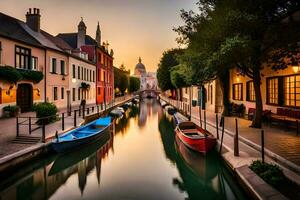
[202, 145]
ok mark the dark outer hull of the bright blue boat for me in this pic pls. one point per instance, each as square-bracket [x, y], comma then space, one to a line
[66, 146]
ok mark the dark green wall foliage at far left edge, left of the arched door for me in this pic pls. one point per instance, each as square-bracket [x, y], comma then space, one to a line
[10, 74]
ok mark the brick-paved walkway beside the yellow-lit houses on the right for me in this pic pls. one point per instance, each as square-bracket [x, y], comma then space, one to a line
[278, 140]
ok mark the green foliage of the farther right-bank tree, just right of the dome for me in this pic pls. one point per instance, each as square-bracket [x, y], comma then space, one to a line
[167, 62]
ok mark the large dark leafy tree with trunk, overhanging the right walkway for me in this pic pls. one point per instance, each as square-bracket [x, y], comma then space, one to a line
[236, 33]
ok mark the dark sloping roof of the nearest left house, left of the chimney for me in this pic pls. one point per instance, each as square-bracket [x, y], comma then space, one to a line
[14, 29]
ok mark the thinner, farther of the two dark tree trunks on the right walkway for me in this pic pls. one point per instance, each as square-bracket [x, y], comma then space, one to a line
[224, 84]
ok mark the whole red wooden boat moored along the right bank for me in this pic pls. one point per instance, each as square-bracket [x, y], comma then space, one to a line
[195, 137]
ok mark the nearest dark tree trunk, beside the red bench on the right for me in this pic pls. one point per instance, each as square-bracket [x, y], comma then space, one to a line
[256, 123]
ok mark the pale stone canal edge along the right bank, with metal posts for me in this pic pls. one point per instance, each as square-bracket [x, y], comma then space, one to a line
[239, 165]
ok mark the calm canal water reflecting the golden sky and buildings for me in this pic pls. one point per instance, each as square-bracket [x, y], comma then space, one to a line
[139, 159]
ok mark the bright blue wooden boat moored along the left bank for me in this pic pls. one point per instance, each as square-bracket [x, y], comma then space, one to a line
[82, 135]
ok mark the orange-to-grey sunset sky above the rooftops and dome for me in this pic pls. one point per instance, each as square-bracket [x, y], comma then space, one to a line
[132, 27]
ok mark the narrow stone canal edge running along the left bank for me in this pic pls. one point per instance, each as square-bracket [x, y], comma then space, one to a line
[21, 157]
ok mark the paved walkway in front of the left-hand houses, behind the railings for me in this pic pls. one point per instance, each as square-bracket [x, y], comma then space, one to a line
[8, 128]
